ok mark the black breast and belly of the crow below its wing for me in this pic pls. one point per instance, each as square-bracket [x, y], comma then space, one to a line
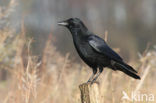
[89, 55]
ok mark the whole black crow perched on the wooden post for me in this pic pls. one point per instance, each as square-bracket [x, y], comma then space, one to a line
[94, 51]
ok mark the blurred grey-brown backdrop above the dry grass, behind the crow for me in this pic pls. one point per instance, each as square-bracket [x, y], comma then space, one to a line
[130, 24]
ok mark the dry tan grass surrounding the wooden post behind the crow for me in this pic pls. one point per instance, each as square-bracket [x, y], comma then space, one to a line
[56, 78]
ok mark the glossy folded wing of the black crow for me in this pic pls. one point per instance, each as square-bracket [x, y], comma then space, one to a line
[99, 45]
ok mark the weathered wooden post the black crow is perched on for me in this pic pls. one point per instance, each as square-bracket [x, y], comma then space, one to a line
[89, 93]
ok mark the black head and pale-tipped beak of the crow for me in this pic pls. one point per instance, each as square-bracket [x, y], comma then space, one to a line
[72, 24]
